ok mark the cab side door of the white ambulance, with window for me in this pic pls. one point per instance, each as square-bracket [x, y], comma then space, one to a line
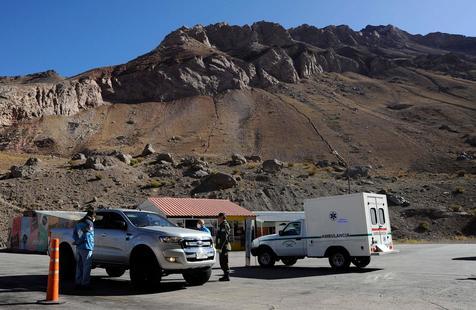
[290, 241]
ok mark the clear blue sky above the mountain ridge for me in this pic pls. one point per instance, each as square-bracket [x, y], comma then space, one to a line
[73, 36]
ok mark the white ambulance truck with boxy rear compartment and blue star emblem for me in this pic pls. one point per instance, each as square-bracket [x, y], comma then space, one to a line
[345, 229]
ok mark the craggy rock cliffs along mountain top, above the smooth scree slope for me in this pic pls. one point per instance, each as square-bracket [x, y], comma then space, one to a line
[212, 59]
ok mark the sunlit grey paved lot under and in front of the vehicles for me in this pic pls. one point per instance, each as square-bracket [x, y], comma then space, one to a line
[431, 276]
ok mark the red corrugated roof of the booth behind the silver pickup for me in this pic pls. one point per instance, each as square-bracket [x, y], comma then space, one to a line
[198, 207]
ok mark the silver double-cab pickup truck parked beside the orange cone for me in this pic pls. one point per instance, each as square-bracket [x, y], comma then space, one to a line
[144, 242]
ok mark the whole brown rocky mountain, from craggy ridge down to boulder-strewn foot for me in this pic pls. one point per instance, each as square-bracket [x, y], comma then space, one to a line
[398, 108]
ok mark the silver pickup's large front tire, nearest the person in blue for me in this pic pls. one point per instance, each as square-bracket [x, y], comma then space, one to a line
[145, 271]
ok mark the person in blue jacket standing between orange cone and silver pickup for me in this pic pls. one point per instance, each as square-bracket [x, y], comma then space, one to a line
[83, 236]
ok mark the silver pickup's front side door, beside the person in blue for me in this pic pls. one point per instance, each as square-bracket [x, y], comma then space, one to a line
[111, 239]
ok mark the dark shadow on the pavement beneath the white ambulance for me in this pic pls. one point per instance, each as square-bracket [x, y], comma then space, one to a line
[282, 272]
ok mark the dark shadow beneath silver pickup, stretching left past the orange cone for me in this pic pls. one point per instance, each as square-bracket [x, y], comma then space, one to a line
[100, 286]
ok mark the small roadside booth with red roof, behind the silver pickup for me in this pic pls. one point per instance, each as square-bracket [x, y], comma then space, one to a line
[186, 211]
